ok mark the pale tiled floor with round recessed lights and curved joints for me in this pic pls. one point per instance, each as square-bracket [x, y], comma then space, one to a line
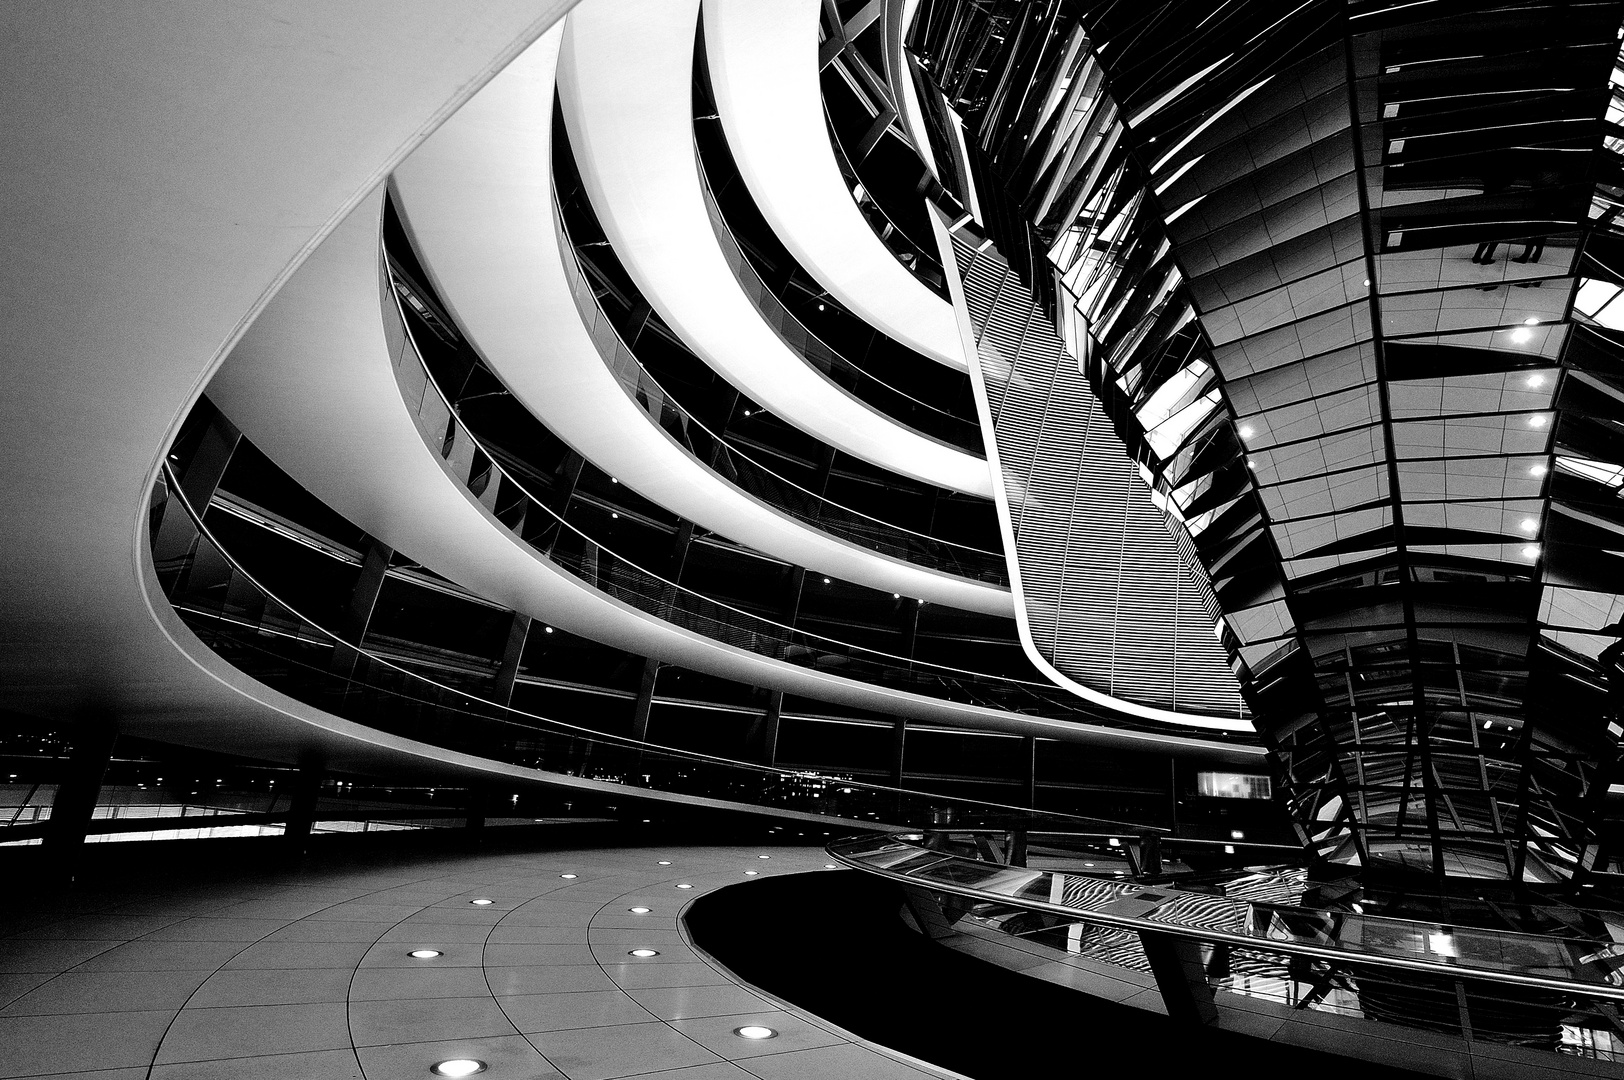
[306, 974]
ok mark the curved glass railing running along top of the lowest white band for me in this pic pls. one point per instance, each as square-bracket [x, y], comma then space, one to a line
[533, 521]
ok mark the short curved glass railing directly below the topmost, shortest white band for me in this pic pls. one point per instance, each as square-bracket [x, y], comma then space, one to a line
[844, 373]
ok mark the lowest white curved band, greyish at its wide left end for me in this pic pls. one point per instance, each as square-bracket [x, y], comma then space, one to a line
[313, 386]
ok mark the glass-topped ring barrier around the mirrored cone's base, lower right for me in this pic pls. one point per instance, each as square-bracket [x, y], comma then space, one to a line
[1539, 991]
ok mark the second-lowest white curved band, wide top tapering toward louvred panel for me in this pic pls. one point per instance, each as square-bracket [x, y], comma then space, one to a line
[477, 199]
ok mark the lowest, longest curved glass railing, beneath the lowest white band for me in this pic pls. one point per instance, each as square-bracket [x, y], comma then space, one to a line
[277, 646]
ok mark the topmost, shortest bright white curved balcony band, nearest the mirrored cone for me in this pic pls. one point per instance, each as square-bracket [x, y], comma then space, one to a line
[766, 79]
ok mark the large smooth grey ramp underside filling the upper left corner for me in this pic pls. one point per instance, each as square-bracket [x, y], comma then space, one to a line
[165, 171]
